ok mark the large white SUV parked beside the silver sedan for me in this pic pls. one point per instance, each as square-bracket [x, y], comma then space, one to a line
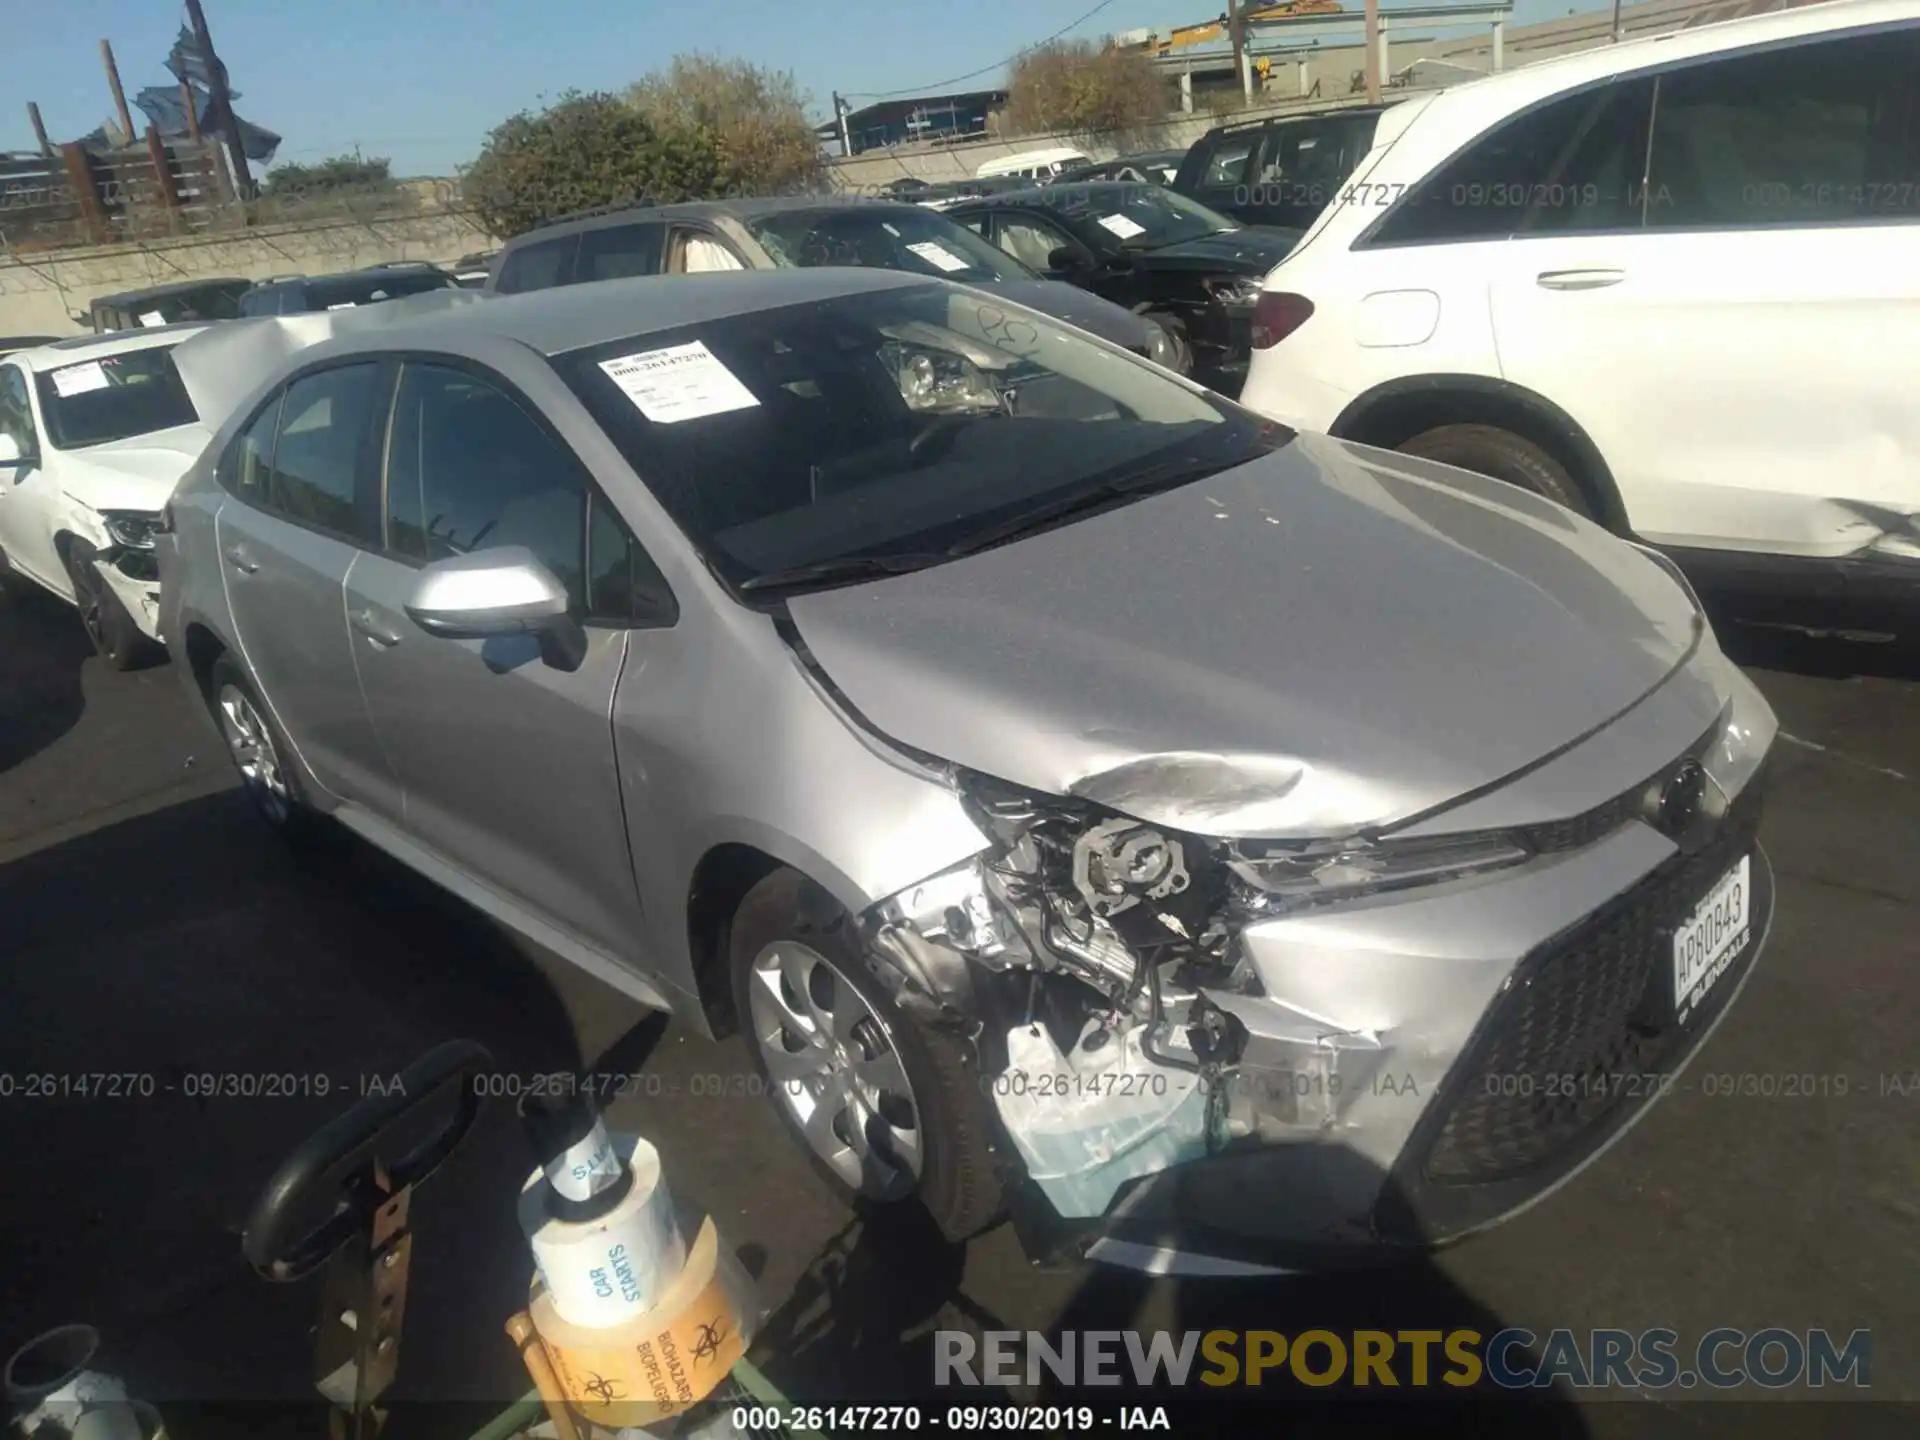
[1671, 283]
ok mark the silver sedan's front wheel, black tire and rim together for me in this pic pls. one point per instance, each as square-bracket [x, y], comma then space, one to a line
[886, 1107]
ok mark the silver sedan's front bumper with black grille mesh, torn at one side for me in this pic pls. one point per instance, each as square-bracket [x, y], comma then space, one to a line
[1424, 1065]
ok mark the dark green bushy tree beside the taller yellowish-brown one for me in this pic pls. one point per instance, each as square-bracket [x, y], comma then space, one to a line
[587, 151]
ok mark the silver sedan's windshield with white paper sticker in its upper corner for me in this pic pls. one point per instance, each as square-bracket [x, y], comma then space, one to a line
[892, 429]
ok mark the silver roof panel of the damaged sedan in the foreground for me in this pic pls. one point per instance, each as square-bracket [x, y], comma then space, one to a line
[581, 316]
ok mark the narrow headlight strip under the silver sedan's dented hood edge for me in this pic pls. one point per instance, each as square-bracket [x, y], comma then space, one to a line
[1280, 876]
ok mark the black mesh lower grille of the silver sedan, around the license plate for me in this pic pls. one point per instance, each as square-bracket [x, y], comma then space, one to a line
[1589, 1024]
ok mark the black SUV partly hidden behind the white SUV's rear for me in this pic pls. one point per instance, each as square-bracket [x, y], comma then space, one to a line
[1278, 172]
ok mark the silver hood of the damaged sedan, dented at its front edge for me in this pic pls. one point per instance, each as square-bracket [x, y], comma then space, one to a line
[1318, 642]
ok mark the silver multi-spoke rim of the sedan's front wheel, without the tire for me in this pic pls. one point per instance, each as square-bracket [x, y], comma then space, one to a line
[838, 1070]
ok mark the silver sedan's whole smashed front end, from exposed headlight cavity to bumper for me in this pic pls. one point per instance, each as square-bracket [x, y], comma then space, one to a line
[1324, 1047]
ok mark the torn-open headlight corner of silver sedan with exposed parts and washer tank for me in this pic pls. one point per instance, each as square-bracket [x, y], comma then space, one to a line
[1101, 965]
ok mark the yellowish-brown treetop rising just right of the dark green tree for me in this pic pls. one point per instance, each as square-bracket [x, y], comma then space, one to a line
[757, 120]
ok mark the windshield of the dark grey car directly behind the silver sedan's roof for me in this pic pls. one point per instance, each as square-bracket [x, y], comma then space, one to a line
[909, 239]
